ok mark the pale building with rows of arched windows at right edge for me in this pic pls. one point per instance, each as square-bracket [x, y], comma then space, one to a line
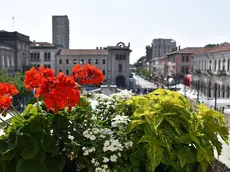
[212, 67]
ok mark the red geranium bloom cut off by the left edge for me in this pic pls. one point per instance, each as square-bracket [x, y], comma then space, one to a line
[6, 93]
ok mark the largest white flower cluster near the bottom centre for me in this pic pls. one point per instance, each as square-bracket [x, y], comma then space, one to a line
[112, 145]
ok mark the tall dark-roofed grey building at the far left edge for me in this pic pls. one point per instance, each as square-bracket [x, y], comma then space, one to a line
[20, 43]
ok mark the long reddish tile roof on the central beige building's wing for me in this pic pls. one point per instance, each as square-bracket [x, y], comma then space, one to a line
[83, 52]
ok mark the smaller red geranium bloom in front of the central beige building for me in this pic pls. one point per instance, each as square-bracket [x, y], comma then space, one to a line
[87, 74]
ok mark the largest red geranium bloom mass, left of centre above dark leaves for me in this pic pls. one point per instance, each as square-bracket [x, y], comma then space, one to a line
[57, 92]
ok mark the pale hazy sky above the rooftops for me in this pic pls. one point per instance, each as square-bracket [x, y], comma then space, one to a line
[99, 23]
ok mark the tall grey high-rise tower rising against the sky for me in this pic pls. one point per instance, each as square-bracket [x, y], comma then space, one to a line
[60, 31]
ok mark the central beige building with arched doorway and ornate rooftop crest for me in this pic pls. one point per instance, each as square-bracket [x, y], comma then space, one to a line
[112, 60]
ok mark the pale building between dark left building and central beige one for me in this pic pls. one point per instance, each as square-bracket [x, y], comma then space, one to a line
[43, 54]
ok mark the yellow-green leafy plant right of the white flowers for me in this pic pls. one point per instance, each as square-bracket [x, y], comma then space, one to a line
[168, 132]
